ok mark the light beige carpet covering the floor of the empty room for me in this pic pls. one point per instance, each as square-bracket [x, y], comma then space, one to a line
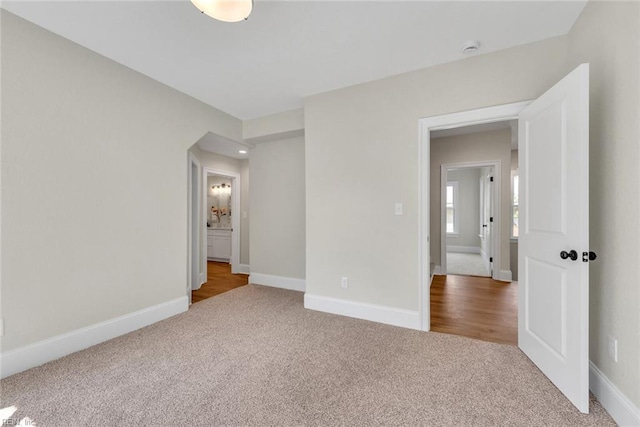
[255, 356]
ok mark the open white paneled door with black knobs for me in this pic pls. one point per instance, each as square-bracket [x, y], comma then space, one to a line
[553, 290]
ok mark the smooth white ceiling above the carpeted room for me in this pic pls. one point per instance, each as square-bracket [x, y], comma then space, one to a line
[291, 49]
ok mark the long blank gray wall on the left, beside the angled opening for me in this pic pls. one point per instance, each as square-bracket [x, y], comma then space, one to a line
[107, 233]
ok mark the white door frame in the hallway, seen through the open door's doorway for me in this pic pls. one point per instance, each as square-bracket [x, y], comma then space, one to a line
[495, 206]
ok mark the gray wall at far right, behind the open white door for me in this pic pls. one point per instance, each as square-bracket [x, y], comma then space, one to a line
[607, 35]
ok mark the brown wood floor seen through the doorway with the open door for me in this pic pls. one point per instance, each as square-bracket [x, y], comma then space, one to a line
[475, 307]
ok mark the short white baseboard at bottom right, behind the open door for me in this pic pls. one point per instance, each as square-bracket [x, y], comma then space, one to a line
[621, 409]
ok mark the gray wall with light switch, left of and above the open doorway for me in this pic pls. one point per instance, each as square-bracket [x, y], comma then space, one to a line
[362, 157]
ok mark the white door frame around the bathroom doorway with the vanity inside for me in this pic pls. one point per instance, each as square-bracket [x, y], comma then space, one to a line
[235, 215]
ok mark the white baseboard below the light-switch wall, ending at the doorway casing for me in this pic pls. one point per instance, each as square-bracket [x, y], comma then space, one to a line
[375, 313]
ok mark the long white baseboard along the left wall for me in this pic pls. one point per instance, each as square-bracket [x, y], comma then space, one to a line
[41, 352]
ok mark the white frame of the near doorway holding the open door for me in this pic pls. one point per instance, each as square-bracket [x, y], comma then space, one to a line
[425, 126]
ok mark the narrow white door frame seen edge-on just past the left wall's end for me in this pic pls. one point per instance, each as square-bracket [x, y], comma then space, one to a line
[194, 246]
